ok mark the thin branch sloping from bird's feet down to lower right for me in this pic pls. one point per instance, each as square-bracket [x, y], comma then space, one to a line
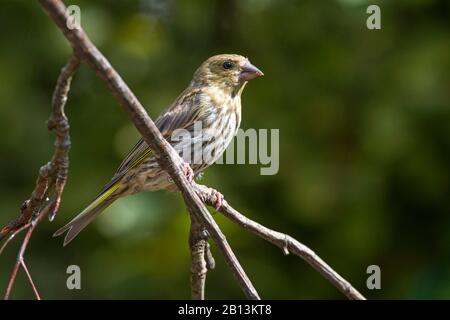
[283, 241]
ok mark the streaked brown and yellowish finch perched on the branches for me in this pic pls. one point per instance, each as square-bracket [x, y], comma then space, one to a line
[199, 124]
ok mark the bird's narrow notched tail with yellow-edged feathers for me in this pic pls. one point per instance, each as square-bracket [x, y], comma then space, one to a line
[103, 201]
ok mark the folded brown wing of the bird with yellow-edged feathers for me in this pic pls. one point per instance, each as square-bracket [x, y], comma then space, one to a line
[181, 114]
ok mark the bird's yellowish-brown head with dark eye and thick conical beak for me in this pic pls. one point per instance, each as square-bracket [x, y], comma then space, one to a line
[226, 71]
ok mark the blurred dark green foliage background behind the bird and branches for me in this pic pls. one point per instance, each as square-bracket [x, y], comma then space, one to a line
[364, 125]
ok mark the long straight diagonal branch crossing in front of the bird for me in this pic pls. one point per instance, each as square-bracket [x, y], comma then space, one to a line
[166, 156]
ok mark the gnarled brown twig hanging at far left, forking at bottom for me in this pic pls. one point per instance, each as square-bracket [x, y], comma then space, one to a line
[52, 178]
